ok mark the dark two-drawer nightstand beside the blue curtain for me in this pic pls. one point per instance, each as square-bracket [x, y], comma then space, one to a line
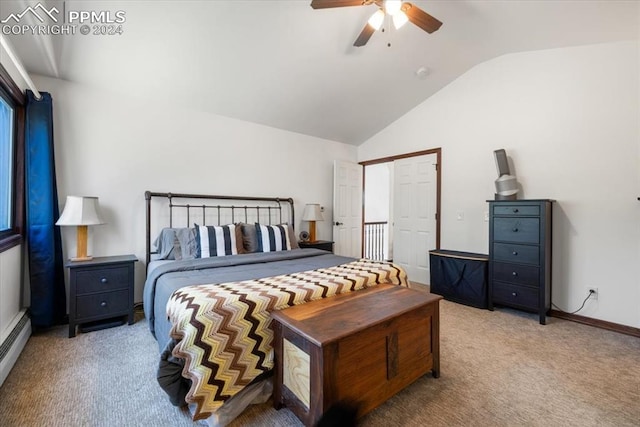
[100, 292]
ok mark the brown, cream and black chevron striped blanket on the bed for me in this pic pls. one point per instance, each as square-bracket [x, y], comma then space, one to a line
[222, 330]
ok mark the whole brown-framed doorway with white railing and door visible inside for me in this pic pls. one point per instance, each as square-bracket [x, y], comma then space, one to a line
[401, 210]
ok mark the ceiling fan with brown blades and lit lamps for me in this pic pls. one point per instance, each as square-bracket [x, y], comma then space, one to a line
[400, 12]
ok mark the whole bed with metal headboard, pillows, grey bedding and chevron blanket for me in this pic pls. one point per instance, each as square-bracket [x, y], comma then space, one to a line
[216, 267]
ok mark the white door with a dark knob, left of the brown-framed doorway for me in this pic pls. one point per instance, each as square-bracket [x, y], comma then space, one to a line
[347, 209]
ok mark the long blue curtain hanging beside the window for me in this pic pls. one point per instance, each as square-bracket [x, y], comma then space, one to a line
[46, 270]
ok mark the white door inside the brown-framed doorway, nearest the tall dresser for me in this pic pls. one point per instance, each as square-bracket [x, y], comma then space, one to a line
[414, 214]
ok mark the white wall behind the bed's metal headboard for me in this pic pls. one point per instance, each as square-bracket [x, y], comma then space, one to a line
[115, 148]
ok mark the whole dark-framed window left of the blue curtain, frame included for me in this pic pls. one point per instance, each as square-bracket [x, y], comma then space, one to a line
[11, 162]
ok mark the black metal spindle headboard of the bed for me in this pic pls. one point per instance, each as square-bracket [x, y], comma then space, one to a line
[181, 209]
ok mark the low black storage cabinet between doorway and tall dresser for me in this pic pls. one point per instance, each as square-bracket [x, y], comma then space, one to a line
[460, 277]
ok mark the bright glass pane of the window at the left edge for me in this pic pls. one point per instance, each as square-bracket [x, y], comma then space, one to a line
[7, 147]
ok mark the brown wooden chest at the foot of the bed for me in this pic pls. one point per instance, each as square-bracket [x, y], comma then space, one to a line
[361, 347]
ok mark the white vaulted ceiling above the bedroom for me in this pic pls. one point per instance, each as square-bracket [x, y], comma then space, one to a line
[286, 65]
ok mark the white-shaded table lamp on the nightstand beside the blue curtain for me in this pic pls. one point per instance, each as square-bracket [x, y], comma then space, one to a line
[81, 211]
